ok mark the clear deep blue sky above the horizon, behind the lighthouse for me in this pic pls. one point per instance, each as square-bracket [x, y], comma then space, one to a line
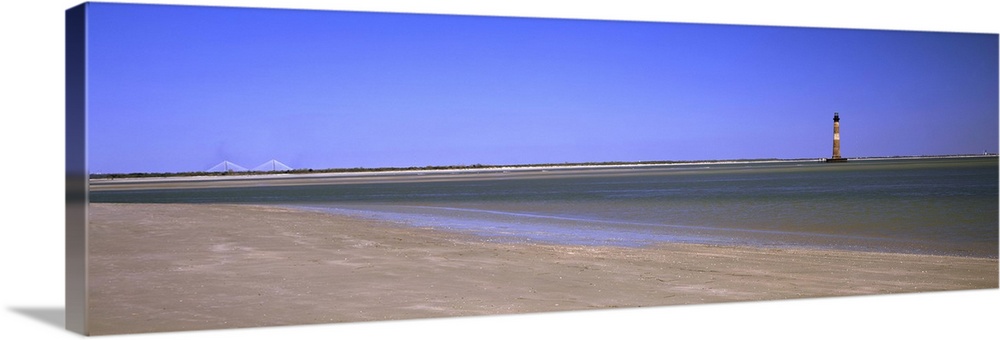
[176, 88]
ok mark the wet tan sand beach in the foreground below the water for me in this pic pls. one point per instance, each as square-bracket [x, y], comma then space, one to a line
[172, 267]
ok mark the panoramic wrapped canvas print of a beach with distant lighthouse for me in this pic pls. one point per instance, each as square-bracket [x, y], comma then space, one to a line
[233, 167]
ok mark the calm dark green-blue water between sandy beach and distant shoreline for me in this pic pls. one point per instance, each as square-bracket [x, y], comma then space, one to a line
[934, 206]
